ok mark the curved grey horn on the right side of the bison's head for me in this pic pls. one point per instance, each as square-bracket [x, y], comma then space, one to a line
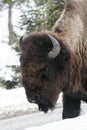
[56, 48]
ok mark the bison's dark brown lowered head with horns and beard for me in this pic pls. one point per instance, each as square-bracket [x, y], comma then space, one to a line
[41, 68]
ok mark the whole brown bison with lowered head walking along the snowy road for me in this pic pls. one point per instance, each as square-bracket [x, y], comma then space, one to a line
[56, 61]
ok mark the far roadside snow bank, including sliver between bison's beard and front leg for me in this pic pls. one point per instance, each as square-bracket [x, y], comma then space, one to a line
[15, 100]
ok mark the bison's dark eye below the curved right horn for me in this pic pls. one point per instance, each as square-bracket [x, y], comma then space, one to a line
[46, 73]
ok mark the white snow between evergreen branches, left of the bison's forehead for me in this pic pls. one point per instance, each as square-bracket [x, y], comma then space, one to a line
[7, 57]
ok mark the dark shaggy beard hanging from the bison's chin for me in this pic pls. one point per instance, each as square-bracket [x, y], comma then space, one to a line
[44, 105]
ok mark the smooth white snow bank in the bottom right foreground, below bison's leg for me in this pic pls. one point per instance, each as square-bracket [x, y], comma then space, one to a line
[79, 123]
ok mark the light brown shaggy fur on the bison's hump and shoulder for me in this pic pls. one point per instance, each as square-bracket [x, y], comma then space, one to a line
[71, 29]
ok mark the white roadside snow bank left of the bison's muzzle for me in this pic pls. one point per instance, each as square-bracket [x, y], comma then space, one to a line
[14, 102]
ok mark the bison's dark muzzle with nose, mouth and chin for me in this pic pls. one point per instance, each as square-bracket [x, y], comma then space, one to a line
[43, 103]
